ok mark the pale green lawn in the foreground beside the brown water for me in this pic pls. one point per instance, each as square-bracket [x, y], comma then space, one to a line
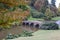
[43, 35]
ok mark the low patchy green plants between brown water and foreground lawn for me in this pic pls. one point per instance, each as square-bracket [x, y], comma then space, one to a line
[23, 34]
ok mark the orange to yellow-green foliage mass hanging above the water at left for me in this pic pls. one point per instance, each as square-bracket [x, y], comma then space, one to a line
[10, 17]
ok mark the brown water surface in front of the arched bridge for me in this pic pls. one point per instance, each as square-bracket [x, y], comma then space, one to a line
[16, 30]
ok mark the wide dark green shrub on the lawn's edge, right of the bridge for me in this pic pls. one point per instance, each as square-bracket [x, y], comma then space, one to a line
[50, 26]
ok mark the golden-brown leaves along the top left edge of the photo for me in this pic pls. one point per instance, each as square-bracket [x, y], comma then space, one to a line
[13, 2]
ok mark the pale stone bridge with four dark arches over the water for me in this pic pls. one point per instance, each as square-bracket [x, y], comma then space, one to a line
[36, 24]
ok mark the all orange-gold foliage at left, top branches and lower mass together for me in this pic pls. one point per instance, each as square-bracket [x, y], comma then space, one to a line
[8, 17]
